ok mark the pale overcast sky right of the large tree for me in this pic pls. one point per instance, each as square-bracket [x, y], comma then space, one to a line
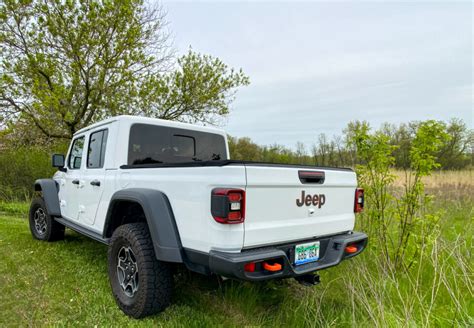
[315, 66]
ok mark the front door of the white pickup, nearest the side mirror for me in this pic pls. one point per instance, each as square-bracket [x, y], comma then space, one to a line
[71, 184]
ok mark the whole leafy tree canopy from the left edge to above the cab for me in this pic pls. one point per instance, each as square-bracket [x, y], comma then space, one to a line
[66, 64]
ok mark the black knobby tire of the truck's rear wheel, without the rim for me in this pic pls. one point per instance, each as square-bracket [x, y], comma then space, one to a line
[155, 280]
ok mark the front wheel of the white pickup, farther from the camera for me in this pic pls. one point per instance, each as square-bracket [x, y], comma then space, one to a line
[42, 225]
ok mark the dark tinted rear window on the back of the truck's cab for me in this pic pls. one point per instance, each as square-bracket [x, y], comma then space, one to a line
[151, 144]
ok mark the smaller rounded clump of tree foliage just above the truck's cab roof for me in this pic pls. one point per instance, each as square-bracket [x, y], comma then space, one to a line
[199, 90]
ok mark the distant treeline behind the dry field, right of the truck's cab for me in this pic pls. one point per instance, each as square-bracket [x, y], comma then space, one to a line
[457, 151]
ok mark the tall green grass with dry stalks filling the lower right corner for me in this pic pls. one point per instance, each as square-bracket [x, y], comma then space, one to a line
[438, 293]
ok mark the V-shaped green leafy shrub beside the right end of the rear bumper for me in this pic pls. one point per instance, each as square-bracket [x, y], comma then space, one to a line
[397, 220]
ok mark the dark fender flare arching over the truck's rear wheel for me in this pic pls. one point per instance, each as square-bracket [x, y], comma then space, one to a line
[160, 219]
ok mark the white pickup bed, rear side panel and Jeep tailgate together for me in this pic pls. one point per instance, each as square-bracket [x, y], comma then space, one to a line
[273, 192]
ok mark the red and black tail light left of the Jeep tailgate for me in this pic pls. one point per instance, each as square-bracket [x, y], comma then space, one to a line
[228, 205]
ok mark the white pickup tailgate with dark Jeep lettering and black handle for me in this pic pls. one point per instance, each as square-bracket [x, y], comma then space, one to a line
[285, 203]
